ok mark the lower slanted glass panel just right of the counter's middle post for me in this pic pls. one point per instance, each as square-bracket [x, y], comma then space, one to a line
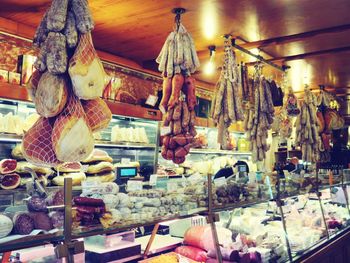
[254, 229]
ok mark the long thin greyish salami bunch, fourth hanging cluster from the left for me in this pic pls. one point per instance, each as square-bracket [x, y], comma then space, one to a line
[259, 118]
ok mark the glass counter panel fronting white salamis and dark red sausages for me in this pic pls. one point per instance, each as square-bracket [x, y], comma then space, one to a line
[134, 203]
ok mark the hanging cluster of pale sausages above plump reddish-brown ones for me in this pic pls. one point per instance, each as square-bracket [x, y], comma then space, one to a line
[177, 60]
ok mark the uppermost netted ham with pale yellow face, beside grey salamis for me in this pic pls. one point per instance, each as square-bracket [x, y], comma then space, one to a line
[86, 70]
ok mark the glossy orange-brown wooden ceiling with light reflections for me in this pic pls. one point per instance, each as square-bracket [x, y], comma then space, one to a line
[136, 29]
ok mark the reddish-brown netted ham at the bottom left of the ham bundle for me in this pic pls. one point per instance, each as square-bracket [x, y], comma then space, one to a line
[37, 145]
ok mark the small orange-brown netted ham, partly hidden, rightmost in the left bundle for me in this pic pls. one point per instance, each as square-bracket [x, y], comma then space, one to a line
[98, 114]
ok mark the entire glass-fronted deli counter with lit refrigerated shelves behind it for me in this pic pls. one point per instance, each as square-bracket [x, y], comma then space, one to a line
[125, 184]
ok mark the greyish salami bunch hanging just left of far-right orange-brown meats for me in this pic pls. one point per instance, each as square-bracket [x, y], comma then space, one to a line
[307, 129]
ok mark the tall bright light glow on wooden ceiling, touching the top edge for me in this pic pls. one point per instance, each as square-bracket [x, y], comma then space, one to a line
[209, 20]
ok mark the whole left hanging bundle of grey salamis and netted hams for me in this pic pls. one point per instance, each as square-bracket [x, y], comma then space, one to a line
[64, 132]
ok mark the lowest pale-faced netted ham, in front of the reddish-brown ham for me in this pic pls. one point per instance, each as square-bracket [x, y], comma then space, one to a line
[72, 137]
